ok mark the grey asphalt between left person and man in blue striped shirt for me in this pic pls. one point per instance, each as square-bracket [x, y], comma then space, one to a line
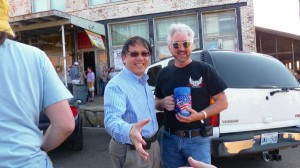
[93, 155]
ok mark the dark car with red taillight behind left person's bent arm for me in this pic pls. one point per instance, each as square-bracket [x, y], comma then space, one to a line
[75, 140]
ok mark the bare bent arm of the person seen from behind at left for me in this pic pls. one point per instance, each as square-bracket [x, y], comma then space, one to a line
[62, 124]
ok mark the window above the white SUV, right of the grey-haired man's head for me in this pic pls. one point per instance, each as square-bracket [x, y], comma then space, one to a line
[220, 31]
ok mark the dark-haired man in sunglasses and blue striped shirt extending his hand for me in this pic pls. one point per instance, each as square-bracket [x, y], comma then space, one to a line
[130, 116]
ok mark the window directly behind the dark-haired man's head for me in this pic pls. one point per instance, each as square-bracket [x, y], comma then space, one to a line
[122, 32]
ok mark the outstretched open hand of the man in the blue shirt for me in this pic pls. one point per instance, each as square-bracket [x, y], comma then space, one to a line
[136, 138]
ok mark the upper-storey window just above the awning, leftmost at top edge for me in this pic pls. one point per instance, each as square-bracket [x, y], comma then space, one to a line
[45, 5]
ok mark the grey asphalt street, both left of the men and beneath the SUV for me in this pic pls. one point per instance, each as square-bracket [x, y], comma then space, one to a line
[95, 155]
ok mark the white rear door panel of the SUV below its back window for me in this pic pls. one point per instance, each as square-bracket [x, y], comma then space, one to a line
[256, 109]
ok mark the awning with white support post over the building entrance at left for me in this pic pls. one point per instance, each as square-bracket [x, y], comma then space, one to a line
[51, 23]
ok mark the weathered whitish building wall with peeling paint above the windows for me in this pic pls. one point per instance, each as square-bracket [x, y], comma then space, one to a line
[132, 8]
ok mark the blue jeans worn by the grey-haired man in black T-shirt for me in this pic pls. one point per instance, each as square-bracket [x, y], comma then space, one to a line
[176, 150]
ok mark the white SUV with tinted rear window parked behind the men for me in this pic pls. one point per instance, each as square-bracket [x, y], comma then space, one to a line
[264, 100]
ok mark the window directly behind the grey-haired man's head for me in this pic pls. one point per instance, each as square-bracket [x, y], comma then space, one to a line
[161, 33]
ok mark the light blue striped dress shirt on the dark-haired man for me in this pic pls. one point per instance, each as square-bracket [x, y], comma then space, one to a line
[127, 100]
